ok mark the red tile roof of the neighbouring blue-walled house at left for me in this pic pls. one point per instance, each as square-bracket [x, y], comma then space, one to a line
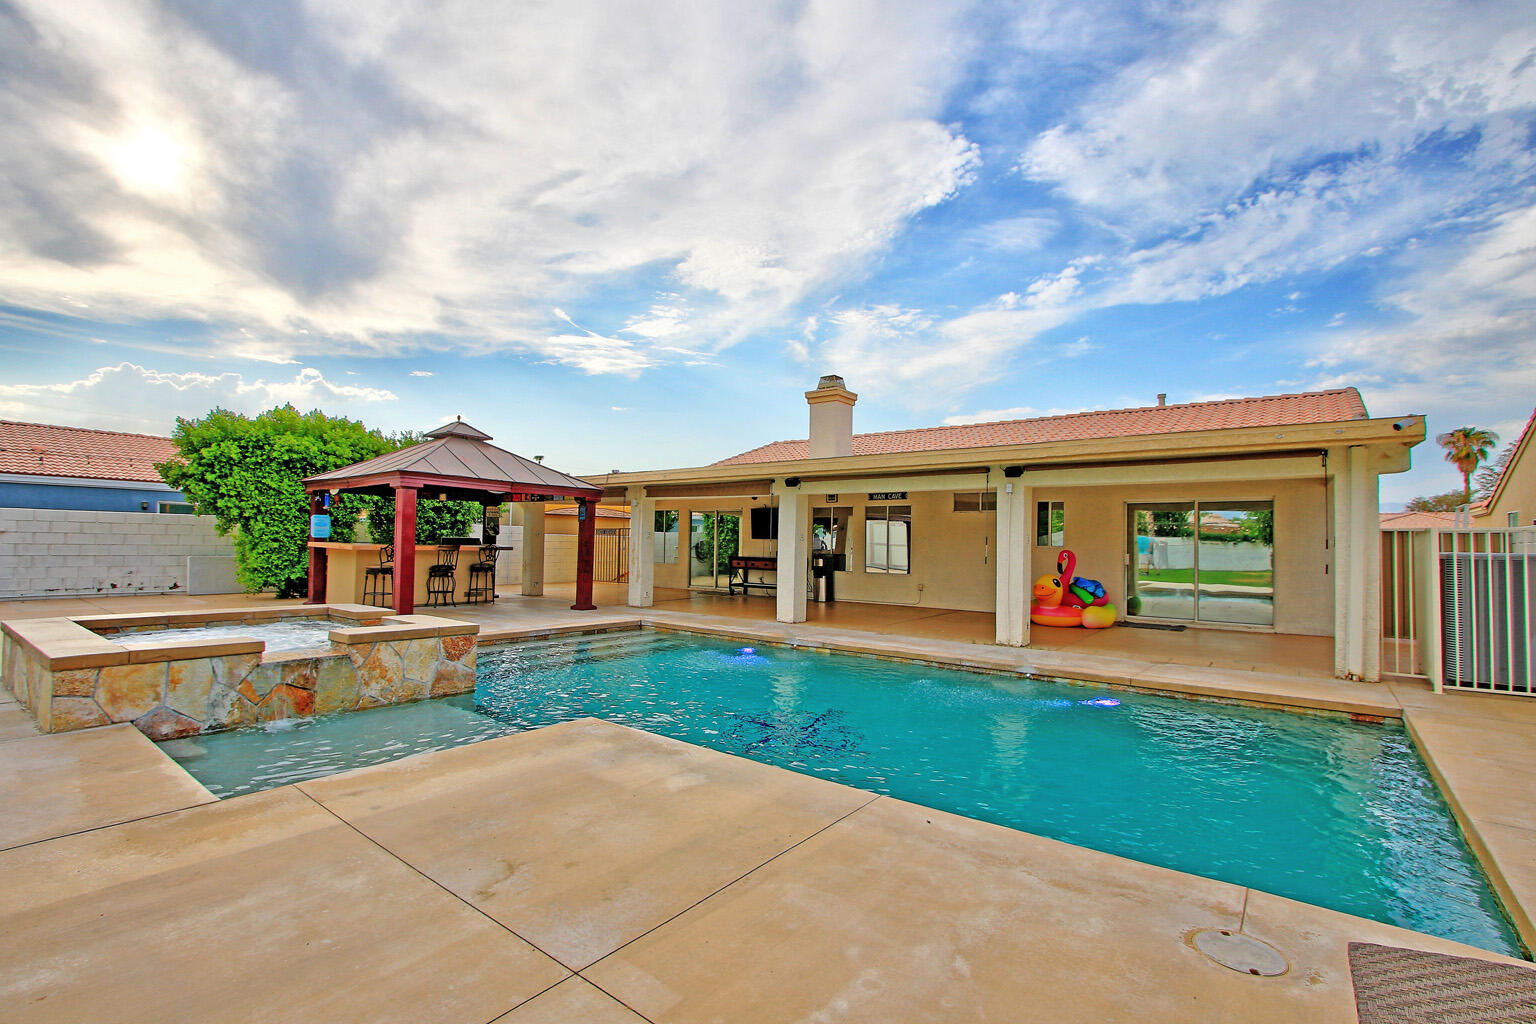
[94, 455]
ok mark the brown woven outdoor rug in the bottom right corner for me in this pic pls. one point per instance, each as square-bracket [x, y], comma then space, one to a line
[1409, 986]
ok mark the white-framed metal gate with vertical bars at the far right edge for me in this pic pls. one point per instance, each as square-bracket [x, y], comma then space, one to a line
[1488, 590]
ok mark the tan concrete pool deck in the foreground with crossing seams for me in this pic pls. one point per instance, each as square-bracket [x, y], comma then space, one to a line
[592, 873]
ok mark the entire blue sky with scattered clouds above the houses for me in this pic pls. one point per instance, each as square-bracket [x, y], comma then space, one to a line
[631, 236]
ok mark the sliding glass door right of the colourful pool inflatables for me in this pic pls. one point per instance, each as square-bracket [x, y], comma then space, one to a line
[1202, 563]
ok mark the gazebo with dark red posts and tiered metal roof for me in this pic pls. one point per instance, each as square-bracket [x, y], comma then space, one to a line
[460, 464]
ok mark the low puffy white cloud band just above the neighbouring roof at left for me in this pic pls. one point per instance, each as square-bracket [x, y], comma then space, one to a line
[121, 398]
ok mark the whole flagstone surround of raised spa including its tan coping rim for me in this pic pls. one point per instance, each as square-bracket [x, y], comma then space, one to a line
[71, 678]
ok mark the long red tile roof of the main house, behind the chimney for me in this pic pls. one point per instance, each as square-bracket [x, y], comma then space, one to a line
[1273, 411]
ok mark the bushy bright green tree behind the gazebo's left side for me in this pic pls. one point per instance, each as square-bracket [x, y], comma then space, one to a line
[250, 475]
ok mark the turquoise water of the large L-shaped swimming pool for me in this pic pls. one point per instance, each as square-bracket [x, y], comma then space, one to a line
[1313, 808]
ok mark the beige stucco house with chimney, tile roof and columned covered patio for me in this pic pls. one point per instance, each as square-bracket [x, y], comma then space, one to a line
[1257, 514]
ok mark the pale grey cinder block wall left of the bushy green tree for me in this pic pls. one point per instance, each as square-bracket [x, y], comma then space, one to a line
[59, 553]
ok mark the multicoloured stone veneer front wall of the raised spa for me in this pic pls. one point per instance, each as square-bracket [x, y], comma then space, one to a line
[208, 695]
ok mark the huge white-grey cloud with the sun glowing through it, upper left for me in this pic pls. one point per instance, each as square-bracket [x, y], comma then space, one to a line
[386, 171]
